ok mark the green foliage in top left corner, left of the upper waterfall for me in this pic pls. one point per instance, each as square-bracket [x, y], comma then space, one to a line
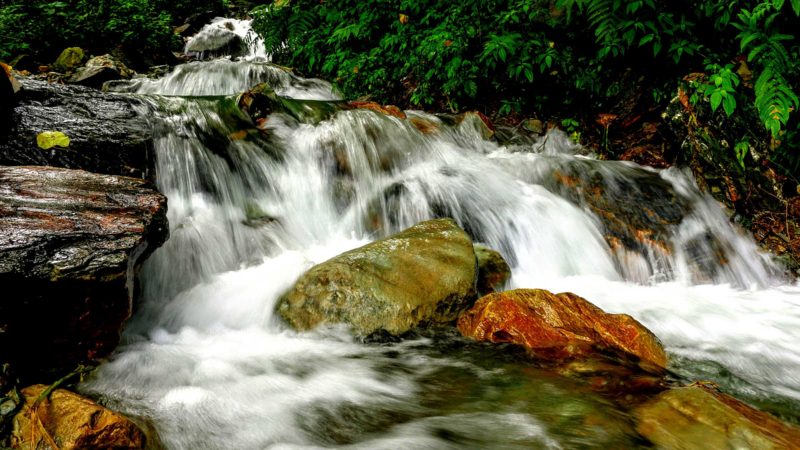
[43, 27]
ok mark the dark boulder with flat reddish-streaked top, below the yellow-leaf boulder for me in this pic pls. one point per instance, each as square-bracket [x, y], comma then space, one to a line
[70, 245]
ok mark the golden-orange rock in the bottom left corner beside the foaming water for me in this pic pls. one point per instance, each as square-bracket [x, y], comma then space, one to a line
[72, 423]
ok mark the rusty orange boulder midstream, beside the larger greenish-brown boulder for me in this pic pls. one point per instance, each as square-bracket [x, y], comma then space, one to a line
[559, 327]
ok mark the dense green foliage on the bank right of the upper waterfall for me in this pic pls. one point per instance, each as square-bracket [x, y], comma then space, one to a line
[520, 56]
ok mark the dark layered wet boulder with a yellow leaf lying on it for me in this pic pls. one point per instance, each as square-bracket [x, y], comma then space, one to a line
[108, 133]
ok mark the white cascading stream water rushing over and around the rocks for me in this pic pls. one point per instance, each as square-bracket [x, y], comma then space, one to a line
[206, 364]
